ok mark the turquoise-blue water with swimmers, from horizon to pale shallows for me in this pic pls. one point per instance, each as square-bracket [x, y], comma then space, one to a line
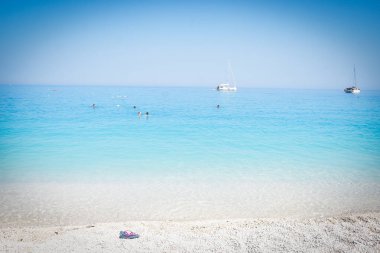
[51, 133]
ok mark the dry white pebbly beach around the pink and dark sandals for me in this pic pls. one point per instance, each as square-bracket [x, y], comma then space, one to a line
[348, 233]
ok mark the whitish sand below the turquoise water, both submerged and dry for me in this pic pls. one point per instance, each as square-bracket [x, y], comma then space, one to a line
[248, 216]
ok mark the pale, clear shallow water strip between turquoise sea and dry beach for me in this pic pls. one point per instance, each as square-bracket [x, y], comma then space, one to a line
[80, 204]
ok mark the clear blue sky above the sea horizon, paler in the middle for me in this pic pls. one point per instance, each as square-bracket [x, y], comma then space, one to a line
[270, 44]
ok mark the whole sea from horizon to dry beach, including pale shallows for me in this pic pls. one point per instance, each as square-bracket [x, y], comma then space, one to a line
[261, 152]
